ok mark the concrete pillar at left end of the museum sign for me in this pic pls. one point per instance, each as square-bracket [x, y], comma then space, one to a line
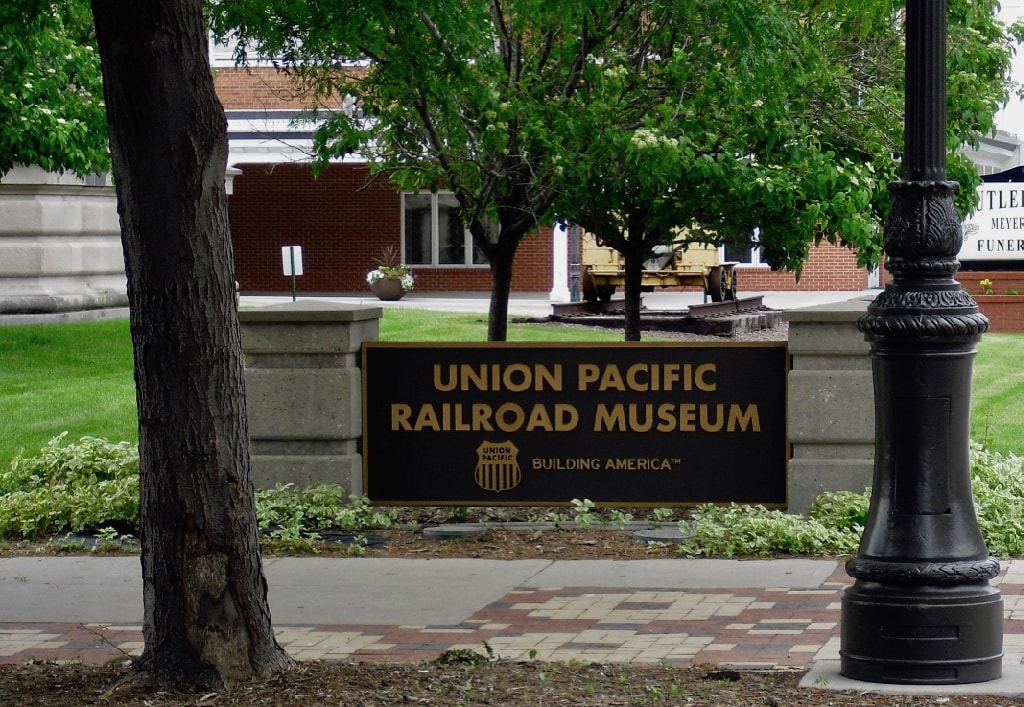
[305, 391]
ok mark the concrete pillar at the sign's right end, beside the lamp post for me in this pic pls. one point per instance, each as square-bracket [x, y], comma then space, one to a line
[832, 403]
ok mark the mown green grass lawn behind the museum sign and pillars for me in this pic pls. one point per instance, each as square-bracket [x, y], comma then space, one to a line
[78, 378]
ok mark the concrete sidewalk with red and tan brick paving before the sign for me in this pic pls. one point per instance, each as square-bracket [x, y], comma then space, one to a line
[746, 614]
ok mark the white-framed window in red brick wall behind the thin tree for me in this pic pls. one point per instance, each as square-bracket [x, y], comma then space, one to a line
[433, 233]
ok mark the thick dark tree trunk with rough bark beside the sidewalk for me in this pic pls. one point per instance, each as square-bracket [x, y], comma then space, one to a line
[206, 614]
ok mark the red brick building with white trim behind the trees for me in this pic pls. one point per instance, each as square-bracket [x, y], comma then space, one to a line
[344, 219]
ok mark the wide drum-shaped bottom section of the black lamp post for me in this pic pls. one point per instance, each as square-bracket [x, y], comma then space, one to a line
[922, 635]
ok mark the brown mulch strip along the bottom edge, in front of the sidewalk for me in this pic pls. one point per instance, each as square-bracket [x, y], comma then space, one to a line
[503, 684]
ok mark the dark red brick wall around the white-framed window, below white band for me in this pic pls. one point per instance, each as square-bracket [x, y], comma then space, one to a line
[344, 221]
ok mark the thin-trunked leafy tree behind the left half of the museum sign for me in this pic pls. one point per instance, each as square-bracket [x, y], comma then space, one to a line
[468, 97]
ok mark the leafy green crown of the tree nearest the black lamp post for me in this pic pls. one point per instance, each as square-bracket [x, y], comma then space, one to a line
[736, 141]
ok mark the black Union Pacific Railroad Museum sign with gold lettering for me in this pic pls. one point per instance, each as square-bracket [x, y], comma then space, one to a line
[542, 425]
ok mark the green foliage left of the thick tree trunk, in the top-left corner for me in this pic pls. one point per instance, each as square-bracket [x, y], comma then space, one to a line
[52, 108]
